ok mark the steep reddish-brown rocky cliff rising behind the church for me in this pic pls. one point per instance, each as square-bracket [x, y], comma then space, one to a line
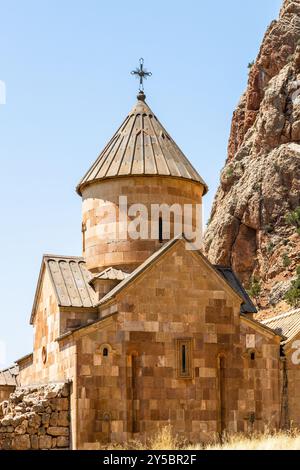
[251, 226]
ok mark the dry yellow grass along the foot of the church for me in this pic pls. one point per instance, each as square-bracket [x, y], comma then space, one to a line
[165, 440]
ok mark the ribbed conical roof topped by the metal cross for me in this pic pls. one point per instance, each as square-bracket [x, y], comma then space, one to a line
[141, 146]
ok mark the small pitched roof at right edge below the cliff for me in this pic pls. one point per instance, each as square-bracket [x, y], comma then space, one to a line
[286, 324]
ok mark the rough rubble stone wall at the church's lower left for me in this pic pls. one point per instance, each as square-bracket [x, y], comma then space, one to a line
[36, 418]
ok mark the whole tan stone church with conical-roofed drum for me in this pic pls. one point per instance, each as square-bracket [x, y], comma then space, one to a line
[145, 332]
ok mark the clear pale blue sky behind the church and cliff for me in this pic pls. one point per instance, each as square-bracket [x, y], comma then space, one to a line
[66, 65]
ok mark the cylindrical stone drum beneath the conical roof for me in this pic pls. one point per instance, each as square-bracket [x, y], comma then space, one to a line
[101, 203]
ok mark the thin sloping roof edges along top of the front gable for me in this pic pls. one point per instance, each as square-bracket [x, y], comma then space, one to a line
[232, 281]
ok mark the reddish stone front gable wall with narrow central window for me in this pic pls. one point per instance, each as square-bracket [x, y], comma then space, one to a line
[137, 388]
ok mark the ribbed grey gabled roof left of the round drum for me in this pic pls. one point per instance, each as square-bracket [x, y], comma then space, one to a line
[70, 281]
